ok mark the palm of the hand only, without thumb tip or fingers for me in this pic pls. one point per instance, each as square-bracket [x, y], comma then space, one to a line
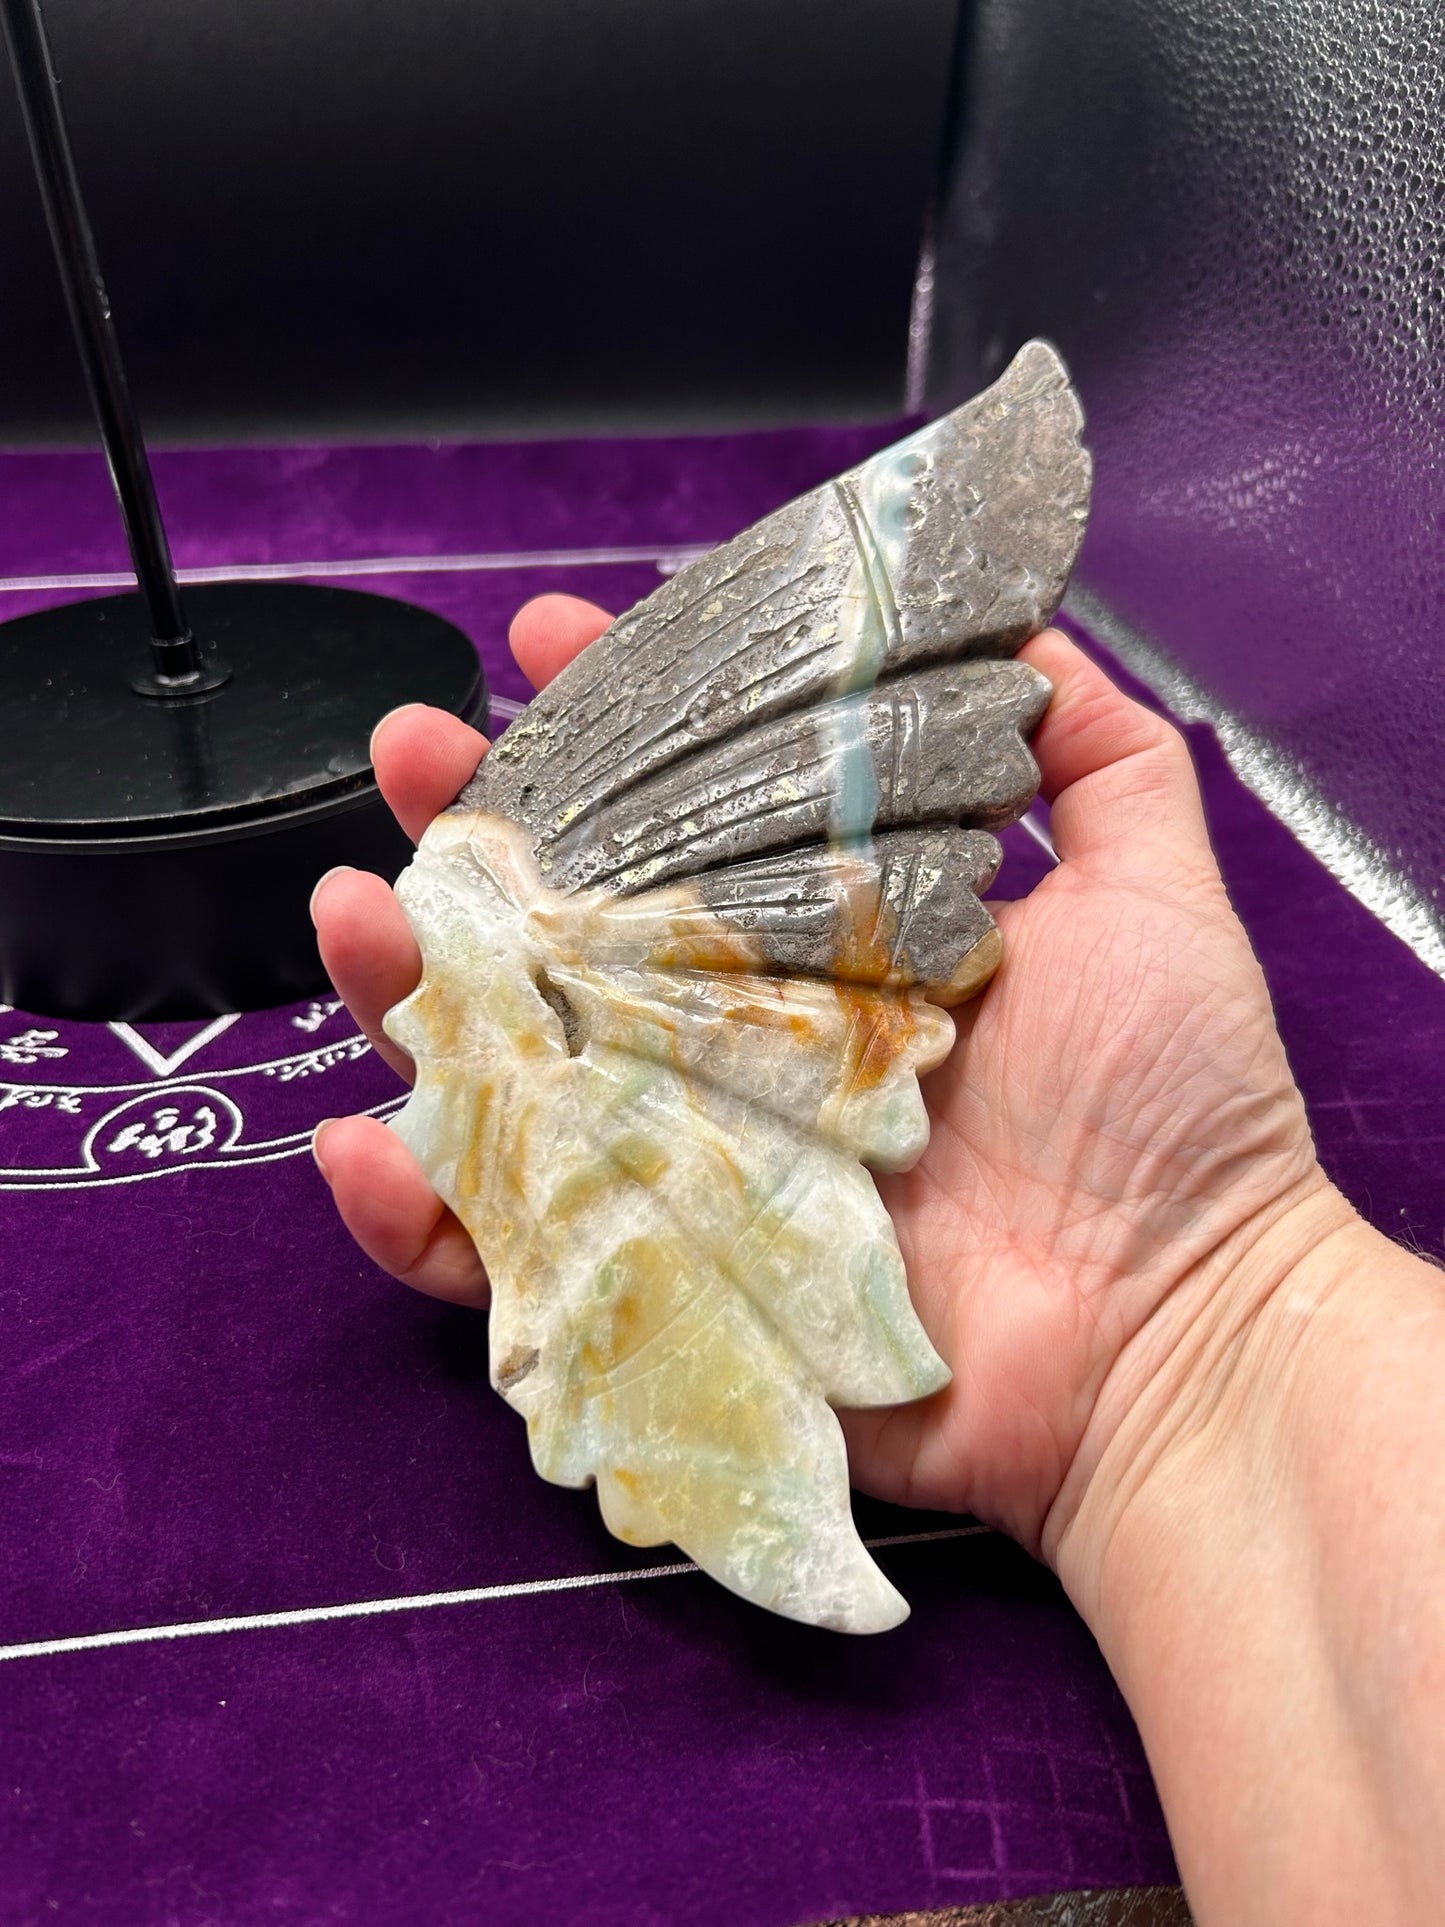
[1117, 1105]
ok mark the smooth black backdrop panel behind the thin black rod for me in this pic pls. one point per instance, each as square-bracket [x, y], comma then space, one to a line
[502, 217]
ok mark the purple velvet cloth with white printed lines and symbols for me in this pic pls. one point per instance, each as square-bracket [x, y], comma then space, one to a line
[219, 1408]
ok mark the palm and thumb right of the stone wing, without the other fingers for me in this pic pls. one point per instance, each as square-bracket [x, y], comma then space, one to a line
[1120, 1161]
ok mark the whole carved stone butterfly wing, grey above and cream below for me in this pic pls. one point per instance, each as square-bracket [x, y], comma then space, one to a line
[689, 941]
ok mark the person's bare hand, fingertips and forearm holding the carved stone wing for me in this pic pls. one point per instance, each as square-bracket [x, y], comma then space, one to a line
[1186, 1373]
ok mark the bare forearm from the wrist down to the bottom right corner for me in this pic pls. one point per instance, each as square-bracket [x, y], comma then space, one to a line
[1269, 1585]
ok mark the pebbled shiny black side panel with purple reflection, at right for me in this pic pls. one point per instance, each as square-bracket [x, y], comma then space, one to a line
[1232, 221]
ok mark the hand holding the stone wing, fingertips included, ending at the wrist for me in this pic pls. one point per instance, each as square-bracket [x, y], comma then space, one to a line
[1117, 1115]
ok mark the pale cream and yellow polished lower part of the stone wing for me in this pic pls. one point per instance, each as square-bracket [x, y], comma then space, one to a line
[689, 1261]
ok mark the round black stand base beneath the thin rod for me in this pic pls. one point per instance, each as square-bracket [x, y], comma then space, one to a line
[157, 857]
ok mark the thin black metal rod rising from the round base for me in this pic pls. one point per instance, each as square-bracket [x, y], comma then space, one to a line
[38, 82]
